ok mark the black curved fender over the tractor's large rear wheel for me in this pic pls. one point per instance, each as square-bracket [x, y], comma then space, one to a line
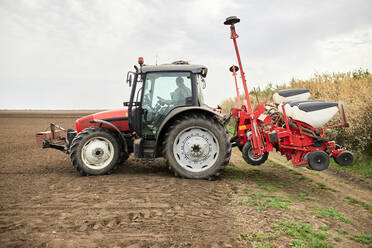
[174, 114]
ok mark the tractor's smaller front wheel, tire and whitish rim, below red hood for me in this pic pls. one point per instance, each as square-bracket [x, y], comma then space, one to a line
[95, 151]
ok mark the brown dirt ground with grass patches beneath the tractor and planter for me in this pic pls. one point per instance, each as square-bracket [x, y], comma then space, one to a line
[44, 202]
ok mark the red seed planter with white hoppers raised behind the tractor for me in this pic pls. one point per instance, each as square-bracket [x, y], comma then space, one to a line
[292, 125]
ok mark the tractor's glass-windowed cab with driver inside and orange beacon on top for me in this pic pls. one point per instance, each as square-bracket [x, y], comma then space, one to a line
[158, 93]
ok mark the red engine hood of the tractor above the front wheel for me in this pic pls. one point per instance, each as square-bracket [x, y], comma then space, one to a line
[118, 117]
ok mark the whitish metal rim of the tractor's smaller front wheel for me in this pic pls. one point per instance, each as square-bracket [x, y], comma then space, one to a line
[97, 153]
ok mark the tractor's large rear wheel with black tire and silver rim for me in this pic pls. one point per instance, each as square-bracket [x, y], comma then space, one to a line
[197, 147]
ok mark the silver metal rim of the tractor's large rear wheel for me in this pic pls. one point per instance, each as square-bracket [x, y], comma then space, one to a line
[196, 149]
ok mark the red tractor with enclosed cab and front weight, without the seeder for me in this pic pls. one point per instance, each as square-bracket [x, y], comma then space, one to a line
[165, 117]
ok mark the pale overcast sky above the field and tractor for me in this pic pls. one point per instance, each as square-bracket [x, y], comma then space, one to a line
[74, 54]
